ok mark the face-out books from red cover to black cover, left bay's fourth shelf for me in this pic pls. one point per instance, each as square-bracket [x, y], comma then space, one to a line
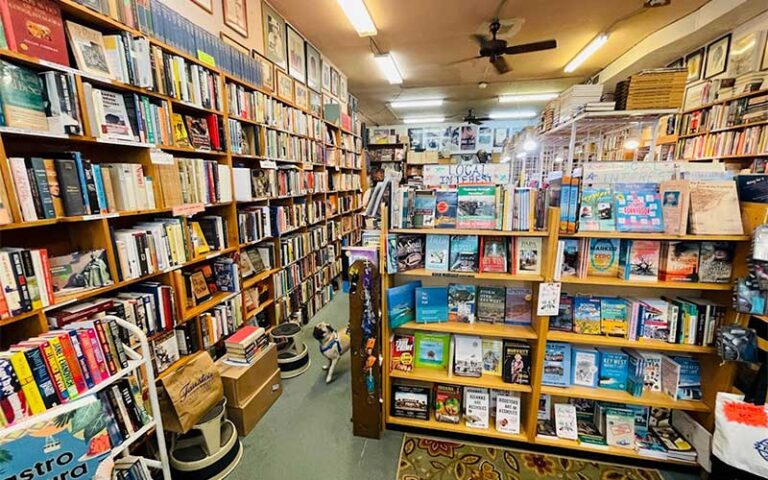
[462, 355]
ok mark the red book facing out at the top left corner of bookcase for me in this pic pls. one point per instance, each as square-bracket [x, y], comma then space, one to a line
[35, 28]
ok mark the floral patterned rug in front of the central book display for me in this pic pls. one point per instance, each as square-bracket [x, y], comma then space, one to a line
[424, 458]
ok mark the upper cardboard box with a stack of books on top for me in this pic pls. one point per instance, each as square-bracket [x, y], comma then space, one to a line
[240, 383]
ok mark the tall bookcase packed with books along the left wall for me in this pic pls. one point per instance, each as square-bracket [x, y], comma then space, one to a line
[153, 172]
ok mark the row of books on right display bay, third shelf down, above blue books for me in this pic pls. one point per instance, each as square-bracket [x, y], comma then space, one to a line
[682, 320]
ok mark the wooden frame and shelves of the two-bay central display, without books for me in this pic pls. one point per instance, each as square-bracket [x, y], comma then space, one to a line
[715, 377]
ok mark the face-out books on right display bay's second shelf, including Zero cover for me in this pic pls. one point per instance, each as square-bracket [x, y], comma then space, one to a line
[646, 260]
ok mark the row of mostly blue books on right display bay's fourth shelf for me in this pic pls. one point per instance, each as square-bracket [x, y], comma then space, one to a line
[630, 370]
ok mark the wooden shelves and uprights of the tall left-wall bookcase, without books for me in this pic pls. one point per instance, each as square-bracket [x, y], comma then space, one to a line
[341, 154]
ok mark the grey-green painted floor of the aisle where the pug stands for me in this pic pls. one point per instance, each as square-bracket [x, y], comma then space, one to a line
[308, 433]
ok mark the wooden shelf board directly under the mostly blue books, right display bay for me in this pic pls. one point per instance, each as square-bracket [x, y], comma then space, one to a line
[654, 399]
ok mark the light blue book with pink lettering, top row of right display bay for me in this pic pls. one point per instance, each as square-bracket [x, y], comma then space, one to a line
[638, 207]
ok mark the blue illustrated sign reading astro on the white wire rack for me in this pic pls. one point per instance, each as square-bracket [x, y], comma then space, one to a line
[68, 446]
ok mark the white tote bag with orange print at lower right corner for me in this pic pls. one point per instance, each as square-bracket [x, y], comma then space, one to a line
[741, 434]
